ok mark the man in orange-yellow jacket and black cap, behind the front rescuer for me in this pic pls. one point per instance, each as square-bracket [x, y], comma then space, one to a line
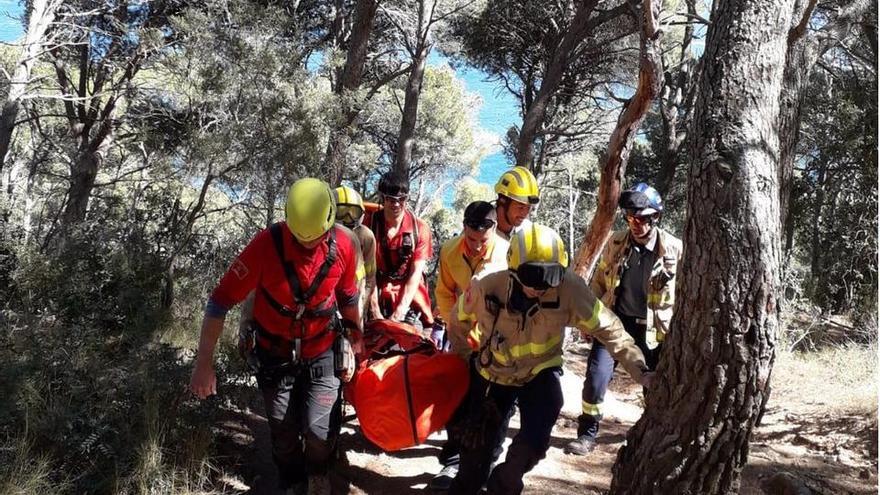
[476, 252]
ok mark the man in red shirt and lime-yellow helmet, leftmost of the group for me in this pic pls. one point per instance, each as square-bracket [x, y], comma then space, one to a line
[303, 270]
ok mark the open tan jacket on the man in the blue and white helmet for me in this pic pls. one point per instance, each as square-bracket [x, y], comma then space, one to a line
[661, 284]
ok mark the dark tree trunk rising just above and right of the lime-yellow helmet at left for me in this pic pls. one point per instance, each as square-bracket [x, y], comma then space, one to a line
[352, 74]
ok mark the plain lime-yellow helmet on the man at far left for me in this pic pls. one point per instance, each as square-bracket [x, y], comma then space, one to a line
[310, 209]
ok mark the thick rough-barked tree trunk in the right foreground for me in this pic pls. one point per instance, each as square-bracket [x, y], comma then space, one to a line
[714, 373]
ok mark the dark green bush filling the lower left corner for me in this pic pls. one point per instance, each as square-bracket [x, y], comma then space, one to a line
[94, 402]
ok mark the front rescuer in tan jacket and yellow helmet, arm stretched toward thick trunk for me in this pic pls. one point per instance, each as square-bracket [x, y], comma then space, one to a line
[521, 314]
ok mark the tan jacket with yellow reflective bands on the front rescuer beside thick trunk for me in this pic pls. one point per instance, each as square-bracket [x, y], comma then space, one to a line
[514, 347]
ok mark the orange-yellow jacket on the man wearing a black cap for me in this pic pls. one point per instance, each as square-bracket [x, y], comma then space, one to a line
[457, 270]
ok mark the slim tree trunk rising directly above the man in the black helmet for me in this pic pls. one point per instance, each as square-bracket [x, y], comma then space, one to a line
[406, 136]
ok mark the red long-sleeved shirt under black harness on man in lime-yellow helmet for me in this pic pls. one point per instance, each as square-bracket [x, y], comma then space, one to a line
[258, 267]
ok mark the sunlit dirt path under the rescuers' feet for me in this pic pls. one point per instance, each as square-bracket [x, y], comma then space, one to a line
[799, 445]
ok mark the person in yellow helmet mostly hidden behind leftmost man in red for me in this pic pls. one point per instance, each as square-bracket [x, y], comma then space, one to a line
[350, 212]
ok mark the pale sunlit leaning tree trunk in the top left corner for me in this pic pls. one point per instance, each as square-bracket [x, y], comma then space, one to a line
[41, 16]
